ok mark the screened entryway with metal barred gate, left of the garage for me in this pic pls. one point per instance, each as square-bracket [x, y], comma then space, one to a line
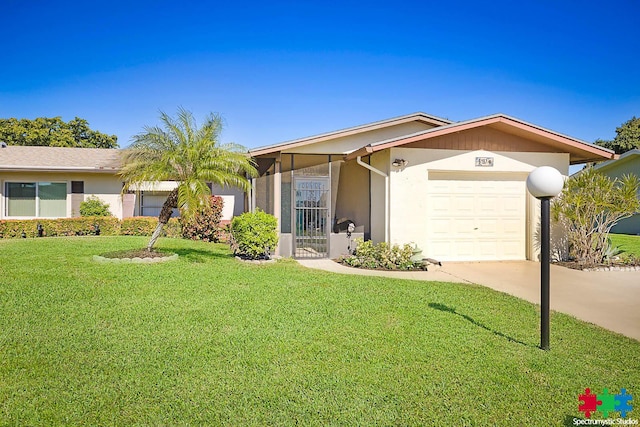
[310, 194]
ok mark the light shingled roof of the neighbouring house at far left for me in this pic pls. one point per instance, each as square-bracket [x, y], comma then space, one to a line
[20, 158]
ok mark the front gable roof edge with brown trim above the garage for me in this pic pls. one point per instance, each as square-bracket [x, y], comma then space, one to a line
[579, 151]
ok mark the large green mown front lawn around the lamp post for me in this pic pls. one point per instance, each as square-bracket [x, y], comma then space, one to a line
[208, 340]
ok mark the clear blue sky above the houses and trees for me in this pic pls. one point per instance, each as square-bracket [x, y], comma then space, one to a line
[283, 70]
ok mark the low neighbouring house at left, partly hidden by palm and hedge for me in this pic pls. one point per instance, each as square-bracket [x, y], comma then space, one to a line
[51, 182]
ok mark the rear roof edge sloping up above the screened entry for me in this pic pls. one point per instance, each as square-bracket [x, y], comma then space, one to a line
[415, 117]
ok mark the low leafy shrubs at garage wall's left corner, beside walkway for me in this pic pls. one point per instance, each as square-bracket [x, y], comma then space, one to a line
[381, 256]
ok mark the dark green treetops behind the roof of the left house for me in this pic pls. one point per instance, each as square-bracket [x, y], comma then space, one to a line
[54, 132]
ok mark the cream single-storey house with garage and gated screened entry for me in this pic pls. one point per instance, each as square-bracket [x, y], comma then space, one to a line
[456, 190]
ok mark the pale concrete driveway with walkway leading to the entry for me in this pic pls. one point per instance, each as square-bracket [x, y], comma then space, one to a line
[610, 299]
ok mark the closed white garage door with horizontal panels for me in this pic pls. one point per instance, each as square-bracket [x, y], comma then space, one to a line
[480, 217]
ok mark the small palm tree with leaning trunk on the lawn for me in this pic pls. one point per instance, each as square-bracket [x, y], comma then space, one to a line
[180, 151]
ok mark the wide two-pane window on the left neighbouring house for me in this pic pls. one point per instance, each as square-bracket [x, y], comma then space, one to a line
[37, 199]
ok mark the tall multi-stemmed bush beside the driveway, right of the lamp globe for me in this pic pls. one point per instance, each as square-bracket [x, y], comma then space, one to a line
[589, 205]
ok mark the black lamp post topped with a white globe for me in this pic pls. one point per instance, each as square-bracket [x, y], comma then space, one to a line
[544, 183]
